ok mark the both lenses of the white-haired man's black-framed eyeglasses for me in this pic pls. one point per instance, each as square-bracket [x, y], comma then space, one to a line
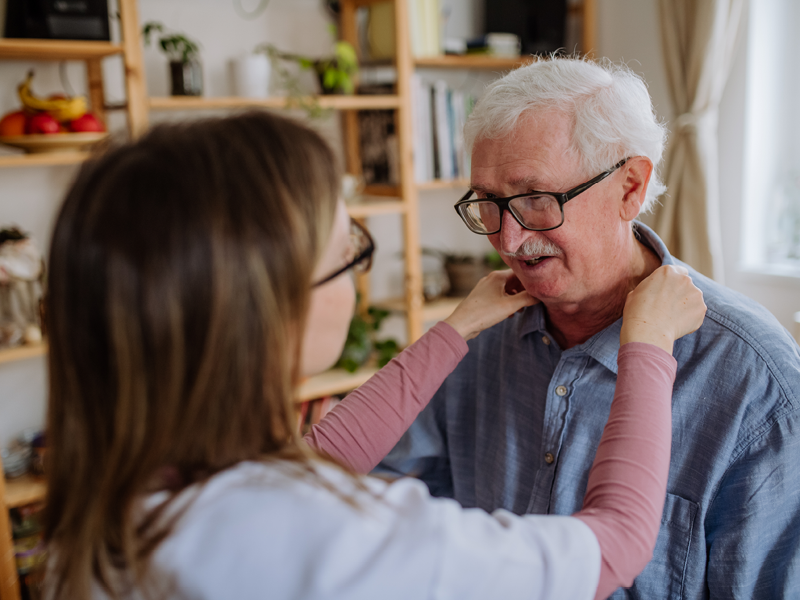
[535, 212]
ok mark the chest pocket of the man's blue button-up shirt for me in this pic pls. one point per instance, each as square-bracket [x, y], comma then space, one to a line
[664, 576]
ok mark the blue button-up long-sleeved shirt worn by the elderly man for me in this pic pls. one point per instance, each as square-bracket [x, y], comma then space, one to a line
[517, 424]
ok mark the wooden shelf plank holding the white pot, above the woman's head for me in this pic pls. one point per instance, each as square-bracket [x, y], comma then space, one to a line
[364, 102]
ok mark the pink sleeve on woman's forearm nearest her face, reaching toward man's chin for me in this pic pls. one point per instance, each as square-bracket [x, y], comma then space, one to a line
[362, 430]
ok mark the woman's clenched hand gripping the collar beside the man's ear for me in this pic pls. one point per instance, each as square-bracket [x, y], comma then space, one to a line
[662, 308]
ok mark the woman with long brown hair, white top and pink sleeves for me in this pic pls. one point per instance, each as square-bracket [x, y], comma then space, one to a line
[195, 276]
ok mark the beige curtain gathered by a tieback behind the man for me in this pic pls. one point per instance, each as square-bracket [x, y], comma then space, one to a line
[698, 38]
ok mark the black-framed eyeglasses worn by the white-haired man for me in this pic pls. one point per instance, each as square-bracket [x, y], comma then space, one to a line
[535, 211]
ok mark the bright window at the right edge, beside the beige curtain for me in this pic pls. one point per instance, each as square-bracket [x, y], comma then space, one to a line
[771, 195]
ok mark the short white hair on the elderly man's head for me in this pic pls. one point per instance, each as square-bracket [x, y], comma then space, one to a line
[609, 106]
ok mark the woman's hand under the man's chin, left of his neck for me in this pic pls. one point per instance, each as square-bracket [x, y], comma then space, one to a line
[496, 297]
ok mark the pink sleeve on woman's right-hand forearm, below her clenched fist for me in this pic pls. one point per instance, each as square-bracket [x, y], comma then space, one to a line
[628, 480]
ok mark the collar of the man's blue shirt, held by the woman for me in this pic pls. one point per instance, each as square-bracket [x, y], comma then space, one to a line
[604, 345]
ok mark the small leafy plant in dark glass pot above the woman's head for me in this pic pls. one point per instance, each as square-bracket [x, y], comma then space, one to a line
[186, 70]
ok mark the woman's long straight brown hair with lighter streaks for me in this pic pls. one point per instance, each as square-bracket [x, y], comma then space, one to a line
[179, 283]
